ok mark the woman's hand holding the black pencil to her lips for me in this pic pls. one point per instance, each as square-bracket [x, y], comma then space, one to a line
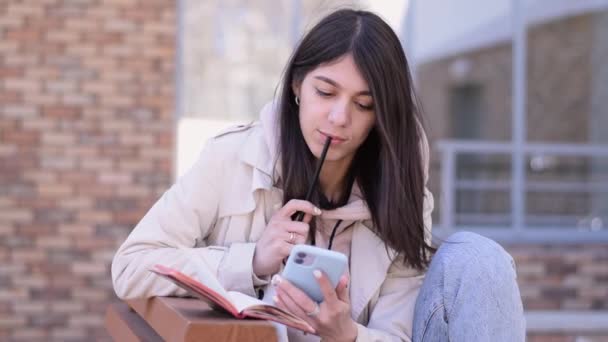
[280, 235]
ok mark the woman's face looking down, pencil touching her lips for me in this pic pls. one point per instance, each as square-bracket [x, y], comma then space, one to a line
[335, 101]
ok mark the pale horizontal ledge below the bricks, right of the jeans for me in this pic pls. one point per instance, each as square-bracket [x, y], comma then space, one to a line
[567, 321]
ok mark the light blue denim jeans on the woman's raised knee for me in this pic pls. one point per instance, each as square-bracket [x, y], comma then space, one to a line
[469, 293]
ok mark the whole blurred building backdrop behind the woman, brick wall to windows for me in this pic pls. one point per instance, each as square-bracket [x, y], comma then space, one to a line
[103, 103]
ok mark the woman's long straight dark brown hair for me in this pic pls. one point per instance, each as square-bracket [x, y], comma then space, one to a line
[388, 165]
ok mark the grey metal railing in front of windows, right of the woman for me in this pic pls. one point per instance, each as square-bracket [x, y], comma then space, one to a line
[519, 228]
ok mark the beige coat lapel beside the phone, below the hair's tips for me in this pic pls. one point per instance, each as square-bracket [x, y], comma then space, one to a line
[369, 263]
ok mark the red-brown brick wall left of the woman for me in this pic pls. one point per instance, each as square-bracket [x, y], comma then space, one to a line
[86, 144]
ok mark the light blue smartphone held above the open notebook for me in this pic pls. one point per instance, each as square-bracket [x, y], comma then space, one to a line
[304, 259]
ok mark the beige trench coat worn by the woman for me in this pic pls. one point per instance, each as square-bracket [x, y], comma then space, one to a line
[214, 214]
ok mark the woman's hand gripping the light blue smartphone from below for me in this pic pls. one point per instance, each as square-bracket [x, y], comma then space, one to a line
[331, 319]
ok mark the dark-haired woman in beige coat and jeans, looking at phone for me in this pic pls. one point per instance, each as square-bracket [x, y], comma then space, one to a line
[232, 212]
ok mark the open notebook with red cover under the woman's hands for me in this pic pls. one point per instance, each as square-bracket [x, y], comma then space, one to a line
[235, 303]
